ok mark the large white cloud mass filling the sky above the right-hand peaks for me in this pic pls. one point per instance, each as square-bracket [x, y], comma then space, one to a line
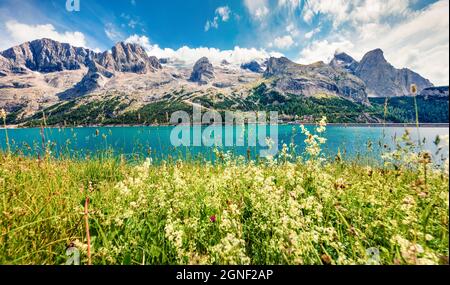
[419, 40]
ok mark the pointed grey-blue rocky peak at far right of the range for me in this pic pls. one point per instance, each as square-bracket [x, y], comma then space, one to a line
[383, 80]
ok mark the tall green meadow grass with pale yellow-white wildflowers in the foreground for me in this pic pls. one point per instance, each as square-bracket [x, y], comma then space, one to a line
[289, 210]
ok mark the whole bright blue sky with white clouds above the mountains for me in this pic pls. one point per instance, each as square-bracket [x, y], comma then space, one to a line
[413, 33]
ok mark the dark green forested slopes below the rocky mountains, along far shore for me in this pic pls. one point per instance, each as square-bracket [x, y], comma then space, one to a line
[336, 109]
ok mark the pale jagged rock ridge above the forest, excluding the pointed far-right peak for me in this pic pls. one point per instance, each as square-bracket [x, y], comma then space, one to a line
[43, 73]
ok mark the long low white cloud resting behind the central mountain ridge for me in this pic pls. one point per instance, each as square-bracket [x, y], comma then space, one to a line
[188, 56]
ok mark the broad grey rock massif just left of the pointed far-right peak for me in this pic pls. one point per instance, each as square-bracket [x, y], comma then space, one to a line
[314, 80]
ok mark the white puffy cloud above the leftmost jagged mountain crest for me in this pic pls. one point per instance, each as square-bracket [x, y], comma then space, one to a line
[18, 33]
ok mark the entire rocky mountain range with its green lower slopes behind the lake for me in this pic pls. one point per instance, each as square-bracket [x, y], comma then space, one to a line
[73, 85]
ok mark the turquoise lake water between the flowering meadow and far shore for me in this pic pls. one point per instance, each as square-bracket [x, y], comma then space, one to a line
[352, 142]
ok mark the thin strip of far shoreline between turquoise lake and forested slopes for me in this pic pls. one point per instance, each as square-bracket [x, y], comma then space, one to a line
[349, 125]
